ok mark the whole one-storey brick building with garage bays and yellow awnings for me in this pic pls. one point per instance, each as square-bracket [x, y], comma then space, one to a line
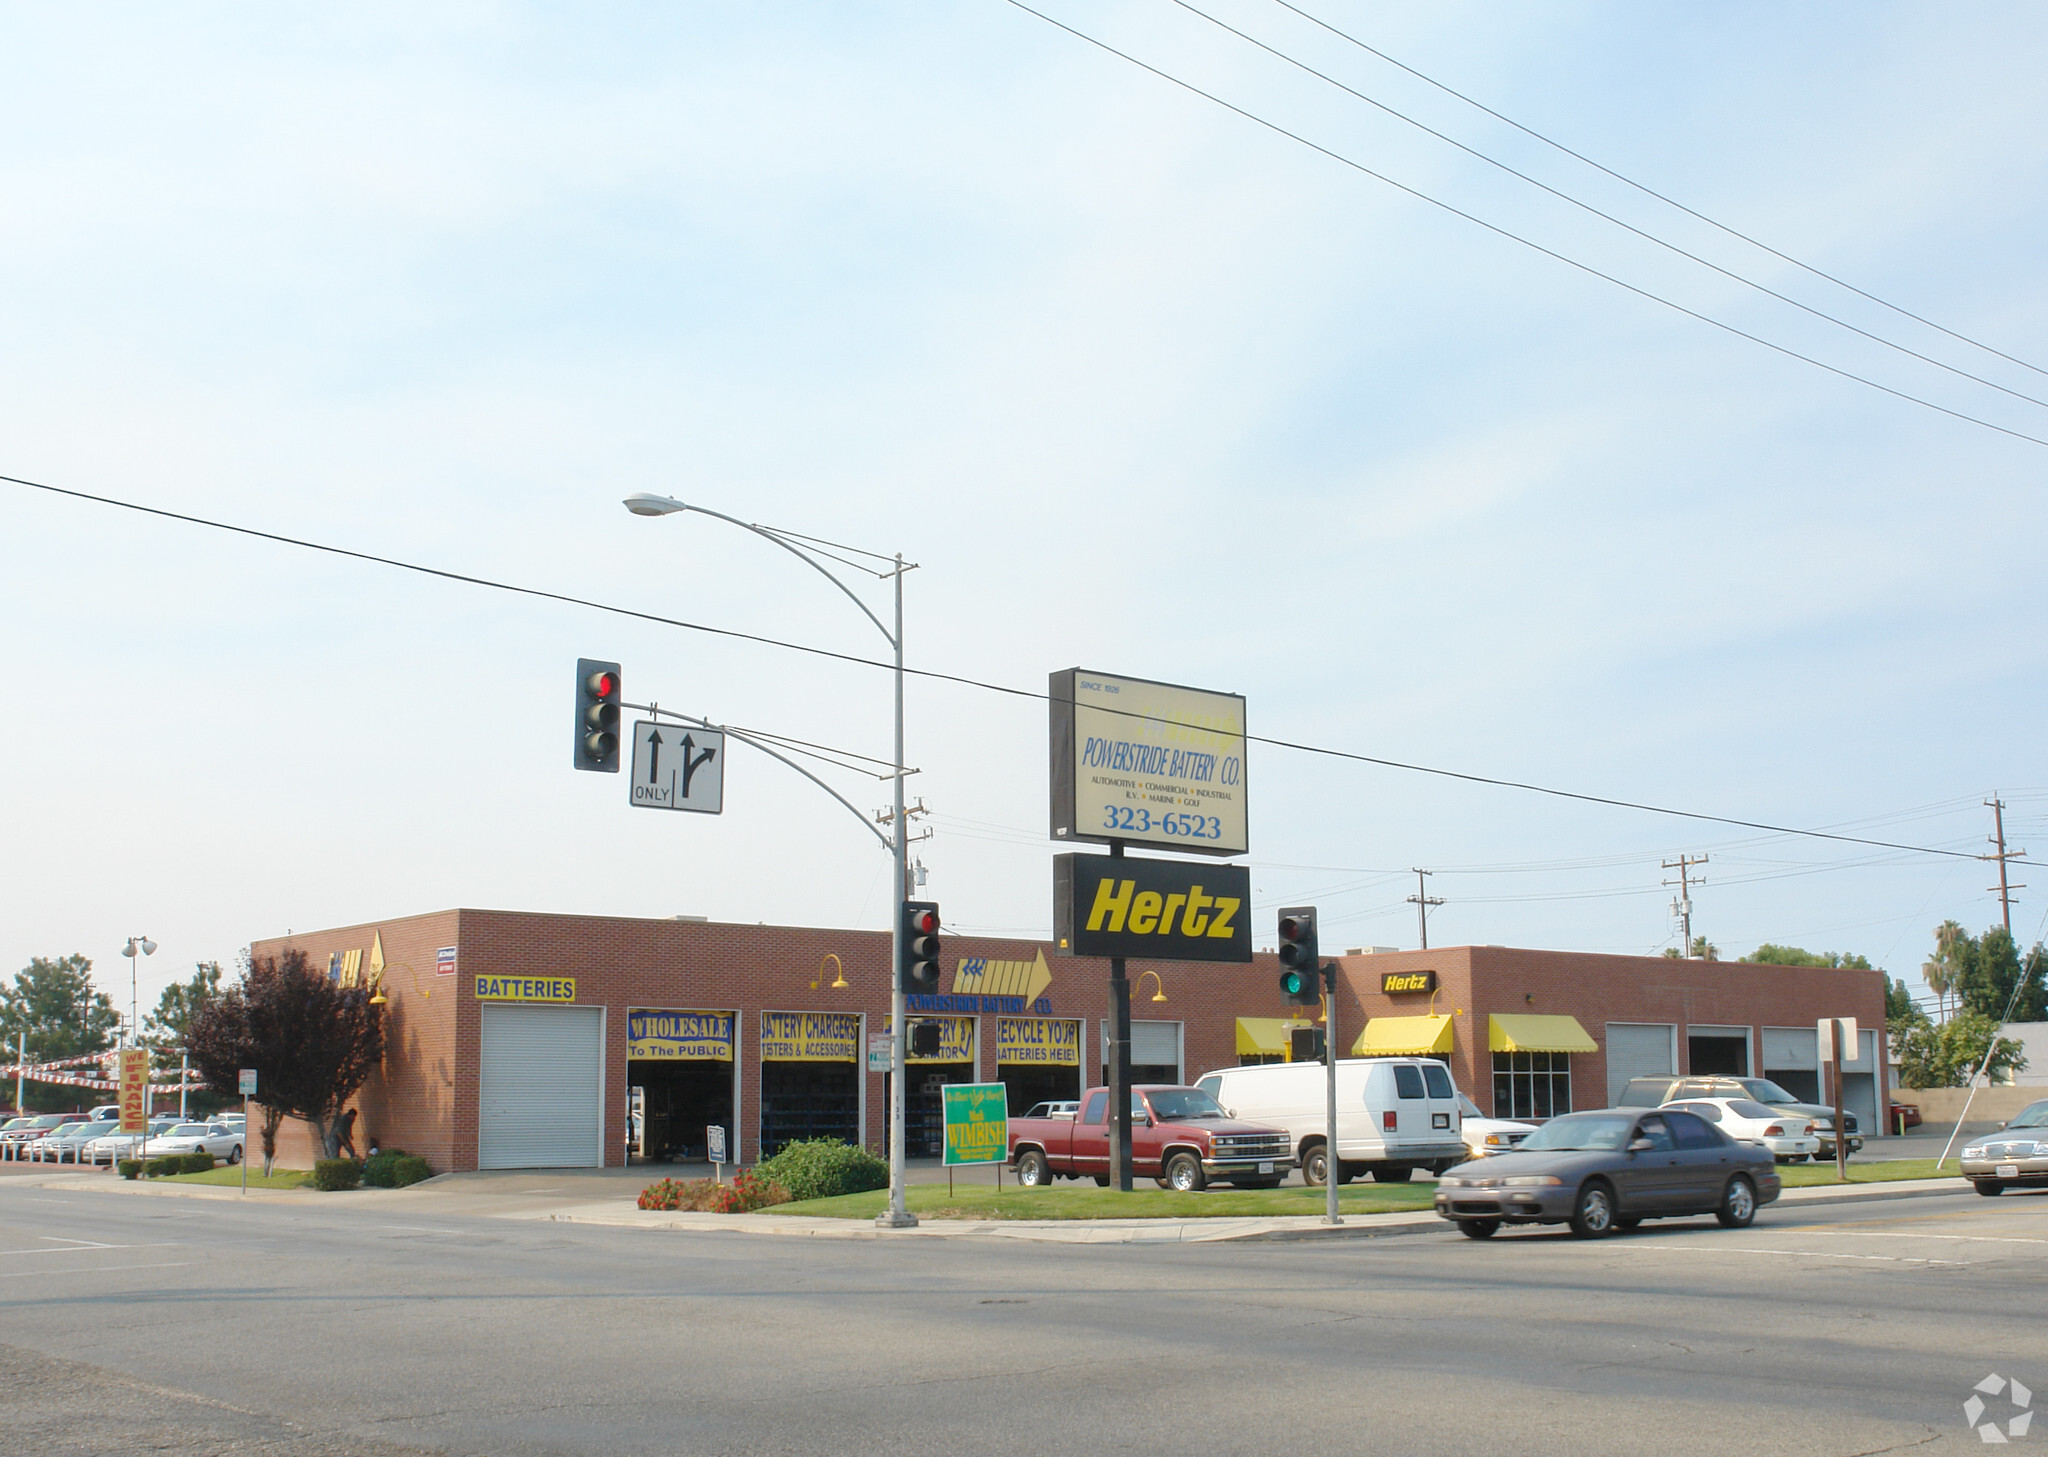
[523, 1040]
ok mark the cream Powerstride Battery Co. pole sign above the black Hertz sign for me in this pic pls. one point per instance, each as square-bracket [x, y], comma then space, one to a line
[1148, 763]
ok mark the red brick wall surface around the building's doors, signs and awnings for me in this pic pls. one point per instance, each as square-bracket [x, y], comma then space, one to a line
[427, 1095]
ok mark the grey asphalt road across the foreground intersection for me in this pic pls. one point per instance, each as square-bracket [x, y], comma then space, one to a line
[206, 1327]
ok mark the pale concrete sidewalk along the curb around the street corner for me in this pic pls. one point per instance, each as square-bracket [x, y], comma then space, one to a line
[609, 1198]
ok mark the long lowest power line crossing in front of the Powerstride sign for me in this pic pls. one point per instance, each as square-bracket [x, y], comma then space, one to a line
[1007, 690]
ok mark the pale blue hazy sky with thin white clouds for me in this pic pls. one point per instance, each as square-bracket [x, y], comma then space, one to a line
[1138, 382]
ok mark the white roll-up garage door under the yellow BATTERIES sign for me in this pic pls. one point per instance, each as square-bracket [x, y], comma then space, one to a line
[542, 1099]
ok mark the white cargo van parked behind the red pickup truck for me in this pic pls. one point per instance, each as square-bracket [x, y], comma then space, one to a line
[1394, 1114]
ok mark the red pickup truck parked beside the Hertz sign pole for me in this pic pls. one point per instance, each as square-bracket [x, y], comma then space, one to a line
[1179, 1136]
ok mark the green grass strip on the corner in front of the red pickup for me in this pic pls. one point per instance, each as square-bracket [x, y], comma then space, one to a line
[1086, 1202]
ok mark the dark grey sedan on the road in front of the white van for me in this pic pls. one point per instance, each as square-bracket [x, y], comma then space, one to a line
[1611, 1171]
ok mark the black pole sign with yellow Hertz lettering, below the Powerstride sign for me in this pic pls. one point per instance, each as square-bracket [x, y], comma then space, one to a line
[1154, 911]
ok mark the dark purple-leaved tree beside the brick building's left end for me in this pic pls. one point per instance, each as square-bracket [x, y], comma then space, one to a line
[310, 1042]
